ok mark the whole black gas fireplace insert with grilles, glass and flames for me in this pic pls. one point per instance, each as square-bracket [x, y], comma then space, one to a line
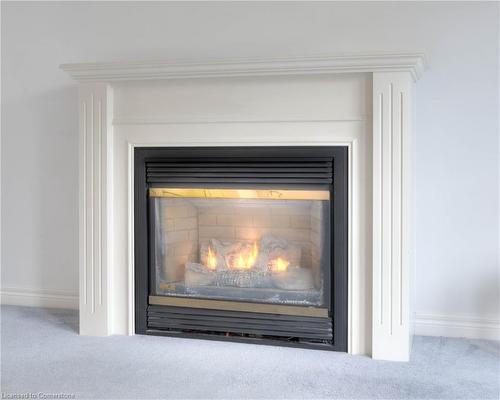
[245, 244]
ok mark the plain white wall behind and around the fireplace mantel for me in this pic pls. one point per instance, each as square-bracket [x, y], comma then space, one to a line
[457, 125]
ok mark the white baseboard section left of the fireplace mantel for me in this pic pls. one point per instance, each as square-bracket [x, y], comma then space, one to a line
[39, 298]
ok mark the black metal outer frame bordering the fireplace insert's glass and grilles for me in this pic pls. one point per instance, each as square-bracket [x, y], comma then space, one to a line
[338, 229]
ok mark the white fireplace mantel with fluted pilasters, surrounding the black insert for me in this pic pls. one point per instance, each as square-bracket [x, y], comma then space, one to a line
[114, 119]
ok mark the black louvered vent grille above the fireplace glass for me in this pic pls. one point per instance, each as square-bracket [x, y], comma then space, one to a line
[245, 171]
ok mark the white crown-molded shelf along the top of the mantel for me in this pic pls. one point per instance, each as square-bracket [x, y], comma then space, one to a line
[414, 63]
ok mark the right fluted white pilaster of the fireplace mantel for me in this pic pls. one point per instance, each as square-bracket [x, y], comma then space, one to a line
[393, 98]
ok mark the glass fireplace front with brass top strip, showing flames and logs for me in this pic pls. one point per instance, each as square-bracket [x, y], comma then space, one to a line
[264, 246]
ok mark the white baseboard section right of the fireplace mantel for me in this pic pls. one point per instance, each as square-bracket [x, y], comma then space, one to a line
[457, 326]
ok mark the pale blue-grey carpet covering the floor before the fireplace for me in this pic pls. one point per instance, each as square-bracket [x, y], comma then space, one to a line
[41, 352]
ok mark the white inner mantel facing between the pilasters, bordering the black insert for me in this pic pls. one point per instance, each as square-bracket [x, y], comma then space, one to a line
[130, 137]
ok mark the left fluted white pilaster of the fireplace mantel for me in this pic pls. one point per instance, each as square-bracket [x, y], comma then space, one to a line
[95, 103]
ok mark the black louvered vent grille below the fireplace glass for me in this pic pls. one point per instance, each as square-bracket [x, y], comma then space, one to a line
[183, 319]
